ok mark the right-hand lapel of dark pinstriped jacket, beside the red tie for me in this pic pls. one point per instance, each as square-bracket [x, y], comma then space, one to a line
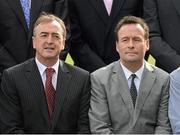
[64, 77]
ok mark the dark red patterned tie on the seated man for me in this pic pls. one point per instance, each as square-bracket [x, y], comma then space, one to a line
[49, 91]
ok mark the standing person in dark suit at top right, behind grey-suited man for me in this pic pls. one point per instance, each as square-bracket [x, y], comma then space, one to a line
[163, 18]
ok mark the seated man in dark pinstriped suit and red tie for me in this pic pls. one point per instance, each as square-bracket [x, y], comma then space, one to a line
[45, 95]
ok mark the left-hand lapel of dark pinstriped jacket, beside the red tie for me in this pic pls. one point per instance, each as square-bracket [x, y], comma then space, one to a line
[33, 75]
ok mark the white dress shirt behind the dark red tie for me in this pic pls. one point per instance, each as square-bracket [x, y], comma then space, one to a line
[42, 72]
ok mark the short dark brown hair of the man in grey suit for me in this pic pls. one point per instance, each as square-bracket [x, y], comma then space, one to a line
[132, 20]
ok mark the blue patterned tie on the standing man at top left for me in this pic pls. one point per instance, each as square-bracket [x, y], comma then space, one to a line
[26, 9]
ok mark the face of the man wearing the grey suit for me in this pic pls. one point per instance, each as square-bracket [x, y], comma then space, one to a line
[131, 44]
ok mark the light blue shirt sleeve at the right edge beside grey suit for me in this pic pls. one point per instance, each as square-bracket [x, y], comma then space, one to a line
[174, 101]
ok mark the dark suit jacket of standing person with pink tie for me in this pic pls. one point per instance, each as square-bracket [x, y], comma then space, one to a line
[92, 41]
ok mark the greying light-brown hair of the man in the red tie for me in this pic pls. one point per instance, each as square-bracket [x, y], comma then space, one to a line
[48, 17]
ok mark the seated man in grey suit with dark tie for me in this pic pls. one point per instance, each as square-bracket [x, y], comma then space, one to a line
[130, 95]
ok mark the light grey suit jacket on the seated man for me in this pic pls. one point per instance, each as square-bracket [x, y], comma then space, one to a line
[111, 107]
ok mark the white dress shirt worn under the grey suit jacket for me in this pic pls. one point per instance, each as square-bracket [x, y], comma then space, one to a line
[128, 76]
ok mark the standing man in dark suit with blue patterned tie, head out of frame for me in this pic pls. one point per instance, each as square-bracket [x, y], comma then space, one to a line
[16, 34]
